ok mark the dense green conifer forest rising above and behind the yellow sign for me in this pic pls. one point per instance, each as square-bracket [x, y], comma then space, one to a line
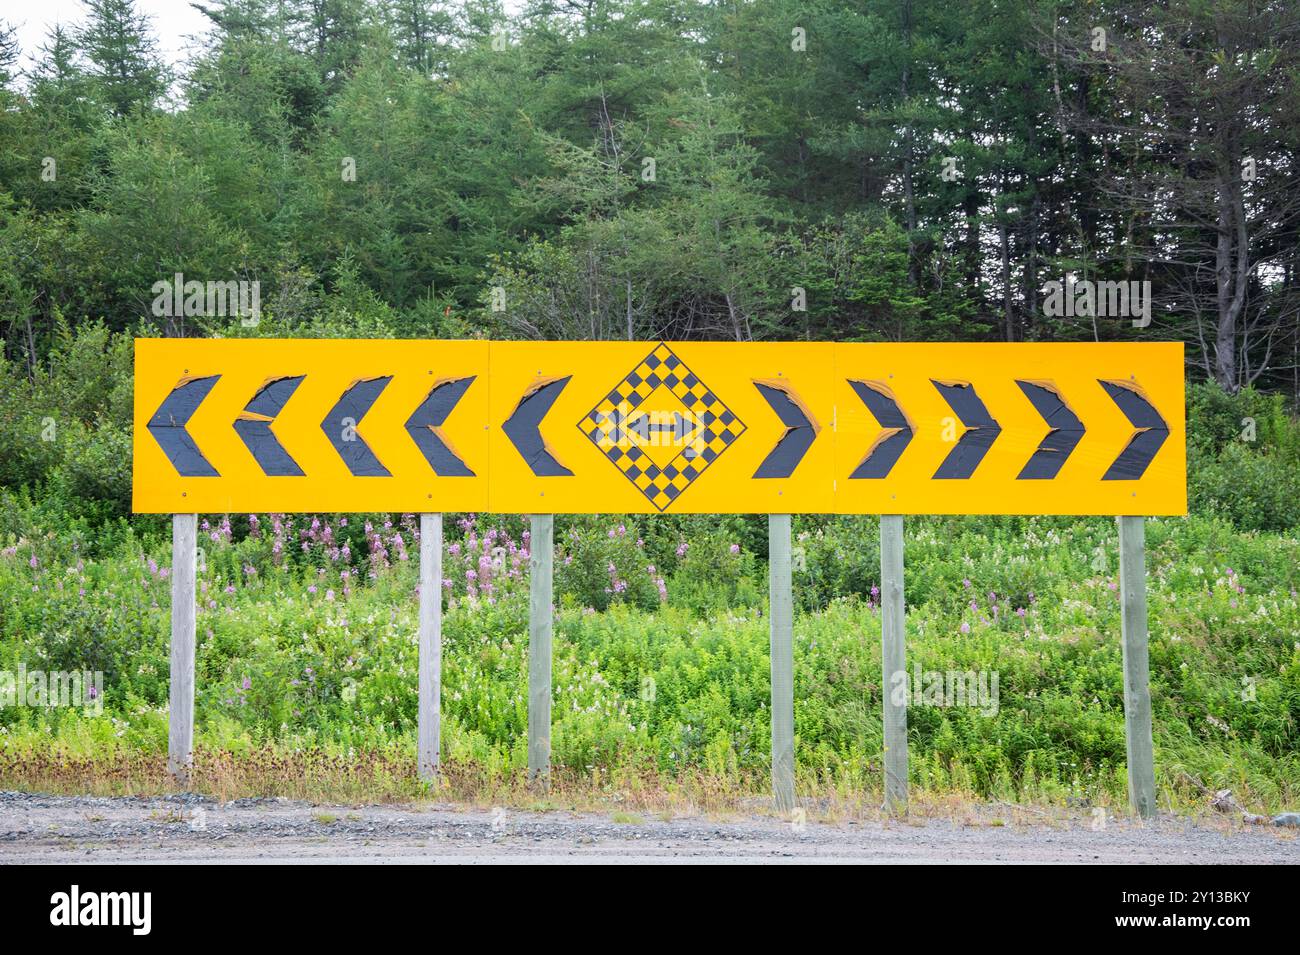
[760, 170]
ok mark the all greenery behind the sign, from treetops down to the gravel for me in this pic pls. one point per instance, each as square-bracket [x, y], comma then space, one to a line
[760, 170]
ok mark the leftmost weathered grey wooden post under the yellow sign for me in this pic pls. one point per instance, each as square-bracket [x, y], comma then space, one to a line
[180, 756]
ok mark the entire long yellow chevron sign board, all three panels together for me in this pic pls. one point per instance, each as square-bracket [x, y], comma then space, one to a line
[658, 427]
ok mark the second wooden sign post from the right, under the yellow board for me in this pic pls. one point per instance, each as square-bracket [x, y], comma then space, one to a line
[894, 662]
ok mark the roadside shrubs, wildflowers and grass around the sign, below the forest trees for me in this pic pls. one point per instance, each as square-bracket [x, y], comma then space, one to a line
[307, 650]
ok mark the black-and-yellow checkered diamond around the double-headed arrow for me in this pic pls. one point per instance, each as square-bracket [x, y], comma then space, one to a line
[713, 429]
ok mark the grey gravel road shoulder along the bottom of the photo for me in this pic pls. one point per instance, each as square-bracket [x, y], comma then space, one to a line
[194, 830]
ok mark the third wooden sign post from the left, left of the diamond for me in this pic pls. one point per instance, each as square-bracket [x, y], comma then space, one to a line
[540, 617]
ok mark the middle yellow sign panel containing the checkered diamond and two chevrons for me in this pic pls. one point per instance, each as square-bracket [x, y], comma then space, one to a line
[635, 427]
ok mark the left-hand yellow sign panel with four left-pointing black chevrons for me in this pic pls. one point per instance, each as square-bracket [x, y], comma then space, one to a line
[310, 426]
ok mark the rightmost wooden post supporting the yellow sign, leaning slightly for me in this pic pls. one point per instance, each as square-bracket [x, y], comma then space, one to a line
[1138, 735]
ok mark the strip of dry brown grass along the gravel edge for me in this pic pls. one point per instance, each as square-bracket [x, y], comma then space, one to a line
[372, 778]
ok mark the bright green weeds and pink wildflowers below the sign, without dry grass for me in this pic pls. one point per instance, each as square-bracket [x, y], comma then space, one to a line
[307, 646]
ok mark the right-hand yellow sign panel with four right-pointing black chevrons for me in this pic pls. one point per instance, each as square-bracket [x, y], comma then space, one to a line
[1026, 429]
